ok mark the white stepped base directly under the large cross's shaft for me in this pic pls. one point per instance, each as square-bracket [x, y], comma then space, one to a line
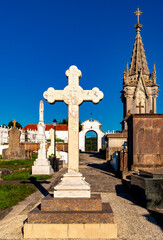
[72, 185]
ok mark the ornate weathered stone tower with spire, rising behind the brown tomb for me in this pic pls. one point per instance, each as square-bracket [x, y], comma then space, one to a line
[139, 86]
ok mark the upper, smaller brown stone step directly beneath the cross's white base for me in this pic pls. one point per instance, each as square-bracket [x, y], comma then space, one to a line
[72, 204]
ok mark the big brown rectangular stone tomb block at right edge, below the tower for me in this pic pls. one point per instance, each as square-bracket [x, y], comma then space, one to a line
[145, 140]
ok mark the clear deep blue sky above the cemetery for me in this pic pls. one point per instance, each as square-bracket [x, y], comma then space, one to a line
[40, 40]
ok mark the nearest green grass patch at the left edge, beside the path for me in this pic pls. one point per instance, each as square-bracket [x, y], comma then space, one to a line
[10, 194]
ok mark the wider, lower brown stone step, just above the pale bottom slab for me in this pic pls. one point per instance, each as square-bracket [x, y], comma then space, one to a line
[104, 216]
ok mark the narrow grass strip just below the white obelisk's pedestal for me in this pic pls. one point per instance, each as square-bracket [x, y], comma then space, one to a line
[25, 175]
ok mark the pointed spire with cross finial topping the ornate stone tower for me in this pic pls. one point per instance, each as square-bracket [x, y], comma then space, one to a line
[138, 60]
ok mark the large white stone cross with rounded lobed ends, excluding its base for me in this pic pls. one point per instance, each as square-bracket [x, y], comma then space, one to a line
[73, 95]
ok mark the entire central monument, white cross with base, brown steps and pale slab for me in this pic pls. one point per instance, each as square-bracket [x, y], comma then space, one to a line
[73, 212]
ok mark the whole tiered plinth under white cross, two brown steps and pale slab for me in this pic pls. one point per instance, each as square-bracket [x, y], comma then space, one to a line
[71, 218]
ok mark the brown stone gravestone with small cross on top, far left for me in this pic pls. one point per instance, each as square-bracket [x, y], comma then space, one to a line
[14, 151]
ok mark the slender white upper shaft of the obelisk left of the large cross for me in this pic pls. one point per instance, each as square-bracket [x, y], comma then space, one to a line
[41, 125]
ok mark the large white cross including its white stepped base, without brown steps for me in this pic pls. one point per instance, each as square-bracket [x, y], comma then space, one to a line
[73, 184]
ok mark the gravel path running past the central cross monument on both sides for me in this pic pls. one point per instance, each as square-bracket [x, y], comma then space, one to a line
[133, 221]
